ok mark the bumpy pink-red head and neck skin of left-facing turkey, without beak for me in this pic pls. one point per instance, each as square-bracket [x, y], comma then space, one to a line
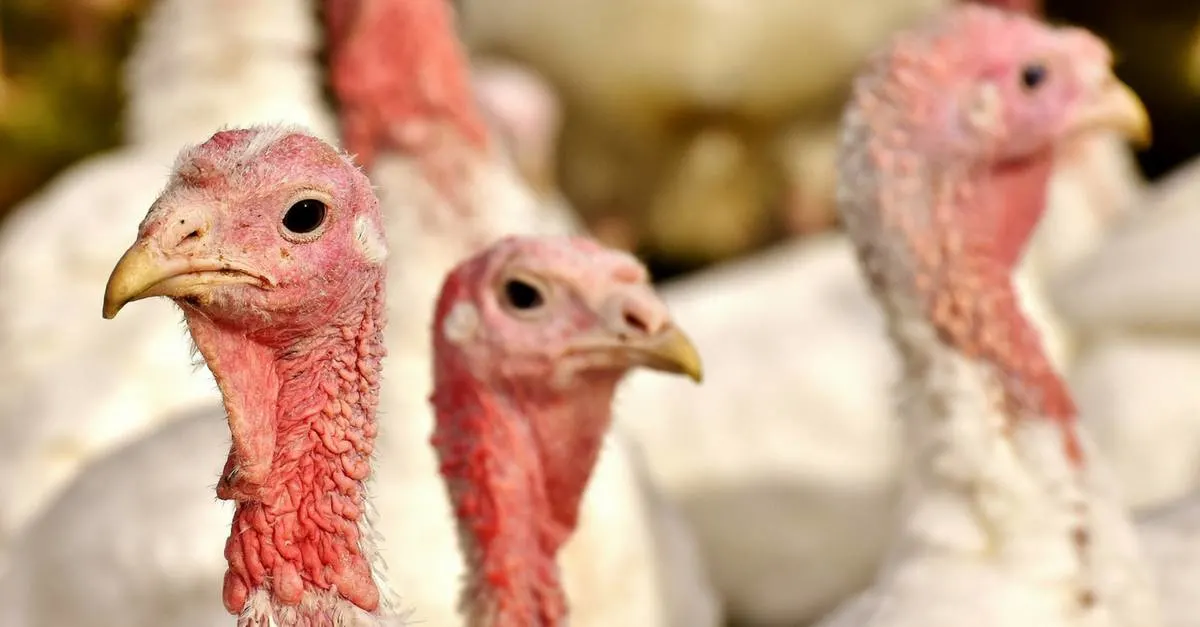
[297, 357]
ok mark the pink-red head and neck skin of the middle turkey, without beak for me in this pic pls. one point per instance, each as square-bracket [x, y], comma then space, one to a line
[519, 422]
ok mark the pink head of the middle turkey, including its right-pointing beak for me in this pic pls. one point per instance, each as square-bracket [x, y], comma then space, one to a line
[557, 310]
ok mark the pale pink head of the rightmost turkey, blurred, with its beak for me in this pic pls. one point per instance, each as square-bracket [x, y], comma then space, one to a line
[977, 103]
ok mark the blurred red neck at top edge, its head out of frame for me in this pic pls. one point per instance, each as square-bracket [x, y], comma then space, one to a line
[400, 76]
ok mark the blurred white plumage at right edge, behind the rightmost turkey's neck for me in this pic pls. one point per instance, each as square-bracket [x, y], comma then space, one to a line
[1137, 304]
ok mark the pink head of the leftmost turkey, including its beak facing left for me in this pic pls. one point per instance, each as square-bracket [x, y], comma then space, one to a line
[259, 228]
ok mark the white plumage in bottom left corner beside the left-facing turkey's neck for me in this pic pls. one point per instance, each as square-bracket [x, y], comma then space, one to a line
[118, 548]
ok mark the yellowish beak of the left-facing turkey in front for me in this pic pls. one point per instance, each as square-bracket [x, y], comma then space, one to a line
[146, 272]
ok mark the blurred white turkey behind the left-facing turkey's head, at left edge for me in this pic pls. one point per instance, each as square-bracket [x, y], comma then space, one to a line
[71, 386]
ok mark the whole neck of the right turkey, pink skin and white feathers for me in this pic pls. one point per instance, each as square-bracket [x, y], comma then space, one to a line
[995, 463]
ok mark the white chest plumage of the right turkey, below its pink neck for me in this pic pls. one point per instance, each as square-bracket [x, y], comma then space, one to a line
[989, 510]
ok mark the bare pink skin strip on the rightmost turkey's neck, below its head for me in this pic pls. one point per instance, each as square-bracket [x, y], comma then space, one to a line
[969, 297]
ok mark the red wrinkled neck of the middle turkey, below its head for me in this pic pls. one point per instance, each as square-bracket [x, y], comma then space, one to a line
[517, 463]
